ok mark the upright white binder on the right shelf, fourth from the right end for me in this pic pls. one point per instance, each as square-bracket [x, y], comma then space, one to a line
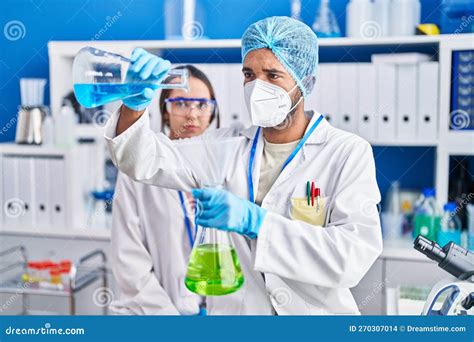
[367, 102]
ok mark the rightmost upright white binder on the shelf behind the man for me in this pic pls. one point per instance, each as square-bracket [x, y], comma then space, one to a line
[428, 95]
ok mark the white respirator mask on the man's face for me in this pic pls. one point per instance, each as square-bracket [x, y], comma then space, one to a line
[268, 104]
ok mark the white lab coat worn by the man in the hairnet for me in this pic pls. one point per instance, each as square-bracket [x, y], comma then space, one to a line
[293, 267]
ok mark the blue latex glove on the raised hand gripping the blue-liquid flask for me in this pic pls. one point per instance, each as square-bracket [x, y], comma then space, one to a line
[145, 66]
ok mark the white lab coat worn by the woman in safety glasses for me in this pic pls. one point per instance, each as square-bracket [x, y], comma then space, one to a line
[150, 251]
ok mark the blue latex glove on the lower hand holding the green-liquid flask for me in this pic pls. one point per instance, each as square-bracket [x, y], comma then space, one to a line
[223, 210]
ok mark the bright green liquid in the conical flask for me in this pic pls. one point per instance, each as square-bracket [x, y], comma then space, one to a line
[214, 270]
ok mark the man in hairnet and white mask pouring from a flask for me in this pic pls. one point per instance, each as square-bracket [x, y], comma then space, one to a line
[301, 195]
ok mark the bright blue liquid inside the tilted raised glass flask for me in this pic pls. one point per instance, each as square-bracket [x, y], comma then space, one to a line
[94, 95]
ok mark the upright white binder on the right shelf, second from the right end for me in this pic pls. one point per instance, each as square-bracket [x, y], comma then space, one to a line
[406, 101]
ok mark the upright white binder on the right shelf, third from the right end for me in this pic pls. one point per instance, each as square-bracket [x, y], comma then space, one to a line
[386, 102]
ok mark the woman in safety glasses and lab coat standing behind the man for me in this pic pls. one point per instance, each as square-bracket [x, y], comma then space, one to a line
[153, 228]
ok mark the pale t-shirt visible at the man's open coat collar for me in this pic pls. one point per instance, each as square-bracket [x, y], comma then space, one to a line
[274, 156]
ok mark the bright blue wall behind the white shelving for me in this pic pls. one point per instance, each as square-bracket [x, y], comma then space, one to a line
[46, 20]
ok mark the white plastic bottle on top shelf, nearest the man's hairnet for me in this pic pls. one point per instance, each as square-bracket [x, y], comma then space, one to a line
[359, 15]
